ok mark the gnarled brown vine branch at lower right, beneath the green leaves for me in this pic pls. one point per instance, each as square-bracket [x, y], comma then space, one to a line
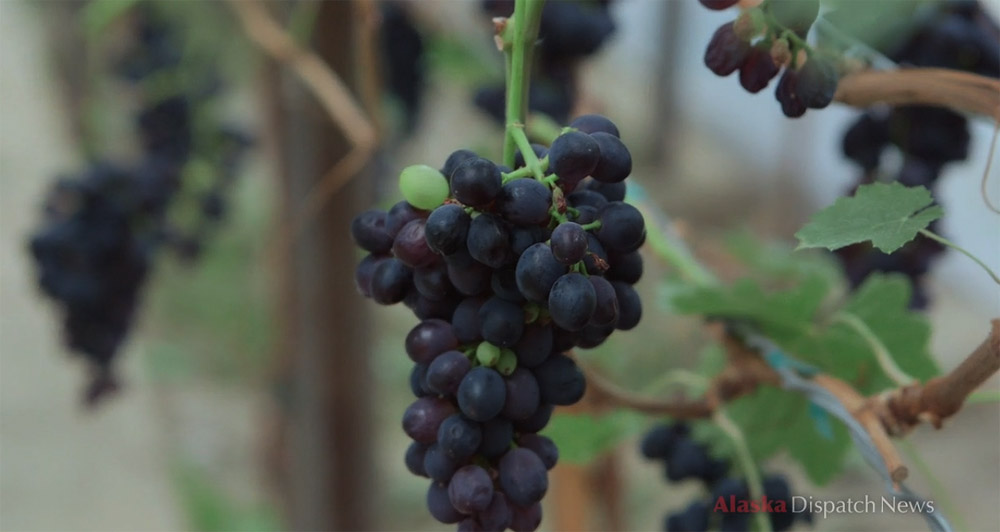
[889, 414]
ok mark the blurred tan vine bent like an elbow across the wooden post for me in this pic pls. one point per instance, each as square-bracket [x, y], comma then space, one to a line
[331, 92]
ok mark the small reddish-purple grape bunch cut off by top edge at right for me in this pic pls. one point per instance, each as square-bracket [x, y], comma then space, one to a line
[762, 41]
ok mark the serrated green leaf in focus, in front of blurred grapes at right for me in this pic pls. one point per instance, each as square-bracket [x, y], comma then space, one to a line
[887, 215]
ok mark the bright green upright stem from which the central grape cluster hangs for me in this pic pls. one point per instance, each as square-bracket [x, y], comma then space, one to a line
[519, 41]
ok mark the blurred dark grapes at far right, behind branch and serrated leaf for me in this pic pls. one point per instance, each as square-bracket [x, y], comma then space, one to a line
[956, 35]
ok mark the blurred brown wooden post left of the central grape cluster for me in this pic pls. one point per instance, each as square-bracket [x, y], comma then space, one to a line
[326, 432]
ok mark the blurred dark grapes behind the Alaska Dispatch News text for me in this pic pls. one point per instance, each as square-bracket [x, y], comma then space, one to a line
[685, 459]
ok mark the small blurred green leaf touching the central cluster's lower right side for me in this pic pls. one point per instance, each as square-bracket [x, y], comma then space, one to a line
[583, 437]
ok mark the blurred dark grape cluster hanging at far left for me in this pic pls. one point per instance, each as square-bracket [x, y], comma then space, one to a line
[101, 227]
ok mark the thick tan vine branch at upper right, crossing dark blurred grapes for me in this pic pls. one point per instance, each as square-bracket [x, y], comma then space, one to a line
[961, 91]
